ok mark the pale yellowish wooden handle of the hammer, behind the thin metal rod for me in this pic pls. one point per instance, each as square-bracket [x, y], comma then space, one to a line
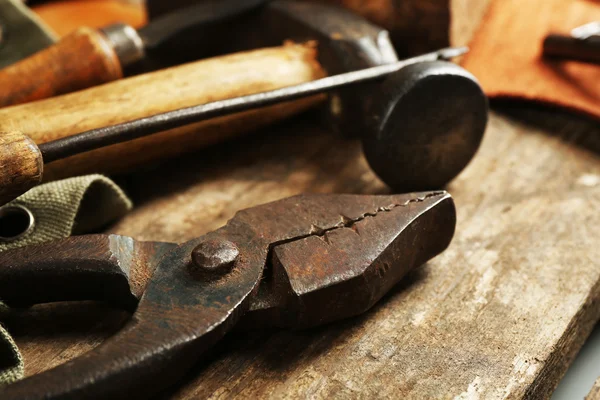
[182, 86]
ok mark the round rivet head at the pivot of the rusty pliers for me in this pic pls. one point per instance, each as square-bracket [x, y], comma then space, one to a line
[213, 258]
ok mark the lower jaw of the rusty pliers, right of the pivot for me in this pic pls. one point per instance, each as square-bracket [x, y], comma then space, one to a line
[343, 271]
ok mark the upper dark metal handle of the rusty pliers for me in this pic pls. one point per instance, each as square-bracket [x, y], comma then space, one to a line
[109, 268]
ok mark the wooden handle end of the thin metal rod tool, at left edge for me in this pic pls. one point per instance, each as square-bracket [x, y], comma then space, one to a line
[21, 165]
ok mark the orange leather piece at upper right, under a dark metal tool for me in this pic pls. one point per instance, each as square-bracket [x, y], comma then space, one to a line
[506, 54]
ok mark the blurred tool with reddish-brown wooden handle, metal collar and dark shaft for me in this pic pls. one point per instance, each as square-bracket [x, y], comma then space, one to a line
[89, 57]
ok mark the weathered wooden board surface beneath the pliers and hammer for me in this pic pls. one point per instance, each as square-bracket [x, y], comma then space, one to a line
[500, 314]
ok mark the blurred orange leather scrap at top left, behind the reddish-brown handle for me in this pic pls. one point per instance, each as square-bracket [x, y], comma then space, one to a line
[64, 17]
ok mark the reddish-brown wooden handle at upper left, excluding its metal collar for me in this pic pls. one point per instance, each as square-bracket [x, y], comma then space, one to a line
[80, 60]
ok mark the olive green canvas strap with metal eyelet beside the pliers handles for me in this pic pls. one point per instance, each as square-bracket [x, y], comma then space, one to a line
[60, 209]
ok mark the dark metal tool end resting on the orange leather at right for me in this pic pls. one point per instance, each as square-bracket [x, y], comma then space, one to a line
[583, 44]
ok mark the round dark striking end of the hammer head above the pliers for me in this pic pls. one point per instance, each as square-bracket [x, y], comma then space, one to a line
[425, 126]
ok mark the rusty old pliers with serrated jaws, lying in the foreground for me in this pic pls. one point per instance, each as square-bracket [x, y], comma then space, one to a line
[299, 262]
